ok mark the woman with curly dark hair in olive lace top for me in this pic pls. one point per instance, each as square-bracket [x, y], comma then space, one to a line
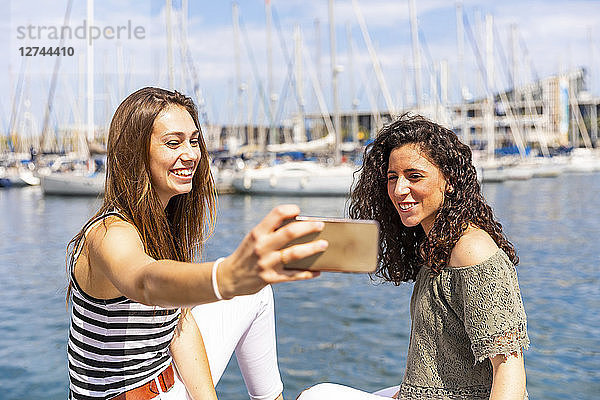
[468, 321]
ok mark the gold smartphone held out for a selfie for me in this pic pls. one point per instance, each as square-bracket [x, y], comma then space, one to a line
[353, 246]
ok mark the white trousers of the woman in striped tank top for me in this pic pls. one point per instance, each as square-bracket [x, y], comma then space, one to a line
[246, 325]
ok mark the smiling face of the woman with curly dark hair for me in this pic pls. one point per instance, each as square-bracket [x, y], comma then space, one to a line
[415, 186]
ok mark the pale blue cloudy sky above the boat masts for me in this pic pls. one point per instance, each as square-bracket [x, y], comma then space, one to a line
[550, 36]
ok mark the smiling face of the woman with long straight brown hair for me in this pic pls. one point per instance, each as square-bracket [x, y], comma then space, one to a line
[174, 152]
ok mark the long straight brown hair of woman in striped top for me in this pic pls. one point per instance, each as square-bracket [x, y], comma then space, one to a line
[178, 231]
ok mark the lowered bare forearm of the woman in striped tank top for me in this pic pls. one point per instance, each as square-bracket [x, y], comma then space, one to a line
[189, 356]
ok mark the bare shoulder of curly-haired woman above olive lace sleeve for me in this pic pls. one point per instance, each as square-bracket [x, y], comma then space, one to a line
[474, 247]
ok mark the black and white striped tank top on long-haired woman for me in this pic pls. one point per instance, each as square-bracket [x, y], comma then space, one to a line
[115, 345]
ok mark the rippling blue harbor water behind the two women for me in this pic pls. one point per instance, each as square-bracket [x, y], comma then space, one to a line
[337, 328]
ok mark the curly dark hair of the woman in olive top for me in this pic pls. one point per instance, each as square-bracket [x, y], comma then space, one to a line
[403, 250]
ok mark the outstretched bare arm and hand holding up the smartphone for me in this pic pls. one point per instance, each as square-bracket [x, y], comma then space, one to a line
[117, 253]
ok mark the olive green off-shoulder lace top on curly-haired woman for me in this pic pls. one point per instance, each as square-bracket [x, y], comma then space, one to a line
[460, 318]
